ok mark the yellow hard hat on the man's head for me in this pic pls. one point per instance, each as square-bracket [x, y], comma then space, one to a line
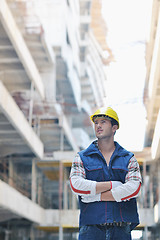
[108, 112]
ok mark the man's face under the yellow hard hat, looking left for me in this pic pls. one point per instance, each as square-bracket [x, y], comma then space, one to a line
[104, 128]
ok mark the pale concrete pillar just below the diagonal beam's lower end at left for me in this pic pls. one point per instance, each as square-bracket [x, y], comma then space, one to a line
[34, 181]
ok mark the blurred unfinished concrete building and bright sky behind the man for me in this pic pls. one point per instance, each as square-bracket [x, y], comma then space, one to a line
[60, 60]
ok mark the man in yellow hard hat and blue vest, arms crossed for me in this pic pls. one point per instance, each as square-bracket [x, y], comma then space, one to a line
[107, 179]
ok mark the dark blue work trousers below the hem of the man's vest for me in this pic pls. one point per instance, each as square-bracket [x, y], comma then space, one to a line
[98, 232]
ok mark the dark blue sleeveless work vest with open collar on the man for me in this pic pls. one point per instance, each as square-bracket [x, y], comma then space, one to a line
[97, 169]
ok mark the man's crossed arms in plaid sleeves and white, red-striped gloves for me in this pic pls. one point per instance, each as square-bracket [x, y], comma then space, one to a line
[91, 191]
